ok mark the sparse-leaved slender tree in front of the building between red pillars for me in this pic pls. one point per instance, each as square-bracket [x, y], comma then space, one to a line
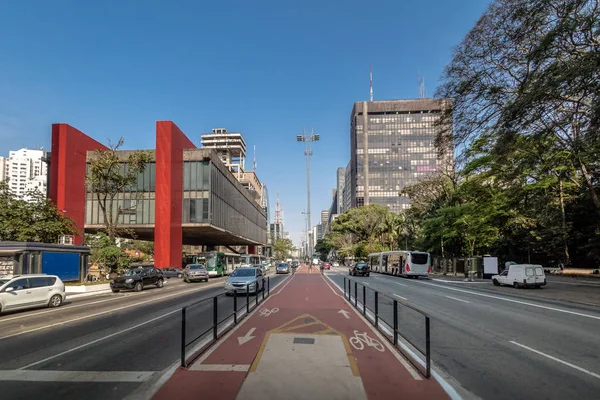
[110, 175]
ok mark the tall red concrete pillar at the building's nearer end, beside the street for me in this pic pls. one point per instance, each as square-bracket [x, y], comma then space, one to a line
[170, 142]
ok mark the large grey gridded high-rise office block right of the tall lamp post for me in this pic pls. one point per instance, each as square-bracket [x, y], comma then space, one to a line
[398, 151]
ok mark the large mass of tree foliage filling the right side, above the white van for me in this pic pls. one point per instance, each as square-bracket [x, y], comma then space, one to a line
[524, 122]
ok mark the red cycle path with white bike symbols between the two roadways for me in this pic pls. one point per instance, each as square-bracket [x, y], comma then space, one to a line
[304, 342]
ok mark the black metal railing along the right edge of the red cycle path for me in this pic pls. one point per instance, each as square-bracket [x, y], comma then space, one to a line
[401, 326]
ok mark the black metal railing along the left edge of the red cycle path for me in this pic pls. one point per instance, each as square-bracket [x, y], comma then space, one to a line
[220, 316]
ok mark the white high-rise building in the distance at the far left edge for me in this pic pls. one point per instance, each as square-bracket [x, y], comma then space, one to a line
[25, 170]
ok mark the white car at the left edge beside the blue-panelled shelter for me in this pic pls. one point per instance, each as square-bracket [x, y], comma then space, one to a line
[19, 292]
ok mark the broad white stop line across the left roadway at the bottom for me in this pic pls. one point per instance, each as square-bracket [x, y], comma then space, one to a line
[75, 376]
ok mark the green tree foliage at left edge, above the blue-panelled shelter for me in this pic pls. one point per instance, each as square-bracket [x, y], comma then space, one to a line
[36, 220]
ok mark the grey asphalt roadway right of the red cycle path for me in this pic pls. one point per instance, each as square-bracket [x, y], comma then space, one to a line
[496, 344]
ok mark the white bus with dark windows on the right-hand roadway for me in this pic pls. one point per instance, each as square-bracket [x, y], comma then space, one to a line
[401, 263]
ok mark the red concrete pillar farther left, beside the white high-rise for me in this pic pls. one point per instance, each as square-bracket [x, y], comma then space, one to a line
[67, 172]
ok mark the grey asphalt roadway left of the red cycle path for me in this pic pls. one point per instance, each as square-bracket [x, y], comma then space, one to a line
[104, 346]
